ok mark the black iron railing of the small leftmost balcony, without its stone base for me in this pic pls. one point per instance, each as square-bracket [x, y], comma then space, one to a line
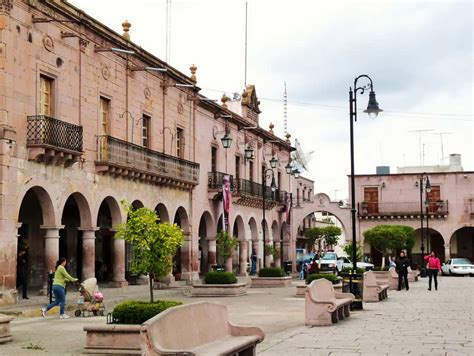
[48, 131]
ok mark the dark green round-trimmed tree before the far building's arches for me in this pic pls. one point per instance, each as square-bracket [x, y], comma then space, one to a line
[390, 237]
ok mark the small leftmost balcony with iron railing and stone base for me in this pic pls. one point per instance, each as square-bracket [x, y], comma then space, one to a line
[53, 141]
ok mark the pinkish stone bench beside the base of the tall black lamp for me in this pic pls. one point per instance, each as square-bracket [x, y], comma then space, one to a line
[324, 306]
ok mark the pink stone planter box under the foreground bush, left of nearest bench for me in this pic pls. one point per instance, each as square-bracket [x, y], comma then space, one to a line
[113, 339]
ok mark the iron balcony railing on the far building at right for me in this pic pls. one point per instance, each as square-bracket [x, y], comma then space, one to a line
[440, 207]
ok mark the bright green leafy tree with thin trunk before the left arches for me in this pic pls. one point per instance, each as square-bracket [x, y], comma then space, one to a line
[153, 243]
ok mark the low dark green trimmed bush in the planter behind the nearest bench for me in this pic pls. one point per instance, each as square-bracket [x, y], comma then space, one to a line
[137, 312]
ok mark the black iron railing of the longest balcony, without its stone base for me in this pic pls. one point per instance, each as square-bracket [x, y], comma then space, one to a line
[126, 154]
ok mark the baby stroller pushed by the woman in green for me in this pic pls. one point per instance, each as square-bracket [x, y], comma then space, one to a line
[91, 301]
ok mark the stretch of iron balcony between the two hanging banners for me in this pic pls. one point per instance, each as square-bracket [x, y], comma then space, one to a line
[249, 193]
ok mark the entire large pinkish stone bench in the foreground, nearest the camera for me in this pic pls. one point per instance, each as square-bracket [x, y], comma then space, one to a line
[198, 329]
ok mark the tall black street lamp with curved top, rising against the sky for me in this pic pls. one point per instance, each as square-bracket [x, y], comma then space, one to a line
[373, 110]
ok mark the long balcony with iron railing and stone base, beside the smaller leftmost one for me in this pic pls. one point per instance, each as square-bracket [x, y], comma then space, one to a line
[121, 158]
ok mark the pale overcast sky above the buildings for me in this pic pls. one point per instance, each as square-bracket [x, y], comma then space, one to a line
[418, 53]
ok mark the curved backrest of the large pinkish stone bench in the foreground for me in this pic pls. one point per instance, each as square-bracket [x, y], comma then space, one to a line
[188, 326]
